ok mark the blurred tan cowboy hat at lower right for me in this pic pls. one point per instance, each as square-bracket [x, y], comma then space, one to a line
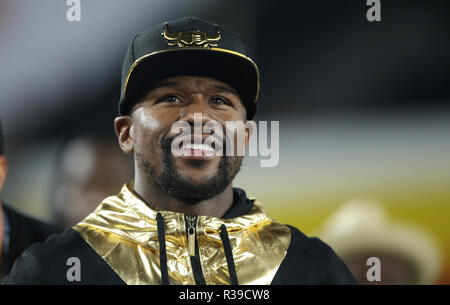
[363, 225]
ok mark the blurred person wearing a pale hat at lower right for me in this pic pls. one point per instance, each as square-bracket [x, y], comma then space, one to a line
[362, 228]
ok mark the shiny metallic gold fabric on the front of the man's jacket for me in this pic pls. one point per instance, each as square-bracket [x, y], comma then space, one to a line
[123, 231]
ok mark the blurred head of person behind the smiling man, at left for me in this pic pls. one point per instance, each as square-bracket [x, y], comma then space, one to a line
[91, 167]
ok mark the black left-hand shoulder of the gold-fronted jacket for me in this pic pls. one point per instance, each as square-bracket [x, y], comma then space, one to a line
[51, 262]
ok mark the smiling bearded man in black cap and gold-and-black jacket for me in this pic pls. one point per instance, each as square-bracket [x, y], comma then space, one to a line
[181, 221]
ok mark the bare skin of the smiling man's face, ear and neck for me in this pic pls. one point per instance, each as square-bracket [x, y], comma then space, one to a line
[150, 121]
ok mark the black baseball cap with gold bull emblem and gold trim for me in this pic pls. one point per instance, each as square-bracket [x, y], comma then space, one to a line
[188, 46]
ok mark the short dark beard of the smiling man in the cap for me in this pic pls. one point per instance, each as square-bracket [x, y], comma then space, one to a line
[184, 189]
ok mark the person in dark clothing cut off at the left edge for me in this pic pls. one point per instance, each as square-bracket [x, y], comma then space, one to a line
[17, 231]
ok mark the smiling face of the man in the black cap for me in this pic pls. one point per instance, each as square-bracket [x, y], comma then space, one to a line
[189, 178]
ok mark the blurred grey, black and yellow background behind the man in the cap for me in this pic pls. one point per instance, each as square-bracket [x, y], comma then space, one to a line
[364, 112]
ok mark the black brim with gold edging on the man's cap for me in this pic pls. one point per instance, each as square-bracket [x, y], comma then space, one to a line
[233, 68]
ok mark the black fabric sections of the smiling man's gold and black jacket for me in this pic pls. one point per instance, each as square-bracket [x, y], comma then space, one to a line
[308, 260]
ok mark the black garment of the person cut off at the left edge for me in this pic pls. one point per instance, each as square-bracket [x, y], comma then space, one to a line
[24, 231]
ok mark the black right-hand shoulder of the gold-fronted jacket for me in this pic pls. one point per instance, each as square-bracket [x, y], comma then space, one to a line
[311, 261]
